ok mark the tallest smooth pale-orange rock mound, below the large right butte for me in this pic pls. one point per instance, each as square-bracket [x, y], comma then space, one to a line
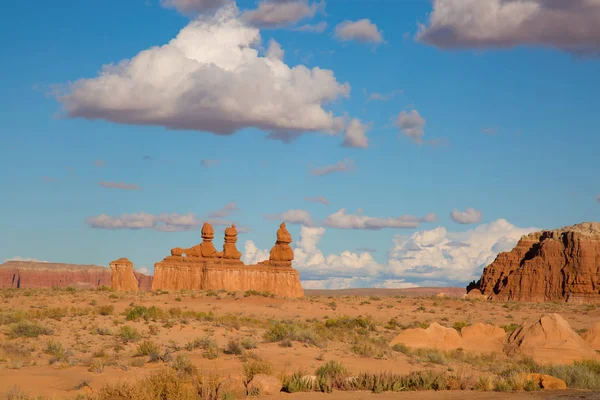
[550, 340]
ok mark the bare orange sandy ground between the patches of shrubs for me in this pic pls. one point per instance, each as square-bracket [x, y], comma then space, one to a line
[234, 317]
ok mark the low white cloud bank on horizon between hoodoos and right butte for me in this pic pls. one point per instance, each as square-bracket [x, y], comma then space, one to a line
[432, 257]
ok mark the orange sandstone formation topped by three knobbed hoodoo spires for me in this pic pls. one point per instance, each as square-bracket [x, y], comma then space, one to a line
[202, 267]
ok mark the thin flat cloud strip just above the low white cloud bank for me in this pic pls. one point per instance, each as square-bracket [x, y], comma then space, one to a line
[342, 220]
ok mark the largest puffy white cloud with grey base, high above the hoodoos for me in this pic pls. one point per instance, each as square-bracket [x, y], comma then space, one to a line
[210, 78]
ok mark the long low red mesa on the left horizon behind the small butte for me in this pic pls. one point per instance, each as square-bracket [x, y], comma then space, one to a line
[31, 274]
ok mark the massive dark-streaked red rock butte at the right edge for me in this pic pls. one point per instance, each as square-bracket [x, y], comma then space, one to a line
[563, 264]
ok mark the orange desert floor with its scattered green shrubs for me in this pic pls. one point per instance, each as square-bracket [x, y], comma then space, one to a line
[68, 343]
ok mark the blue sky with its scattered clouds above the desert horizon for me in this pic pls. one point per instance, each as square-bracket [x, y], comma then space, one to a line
[507, 125]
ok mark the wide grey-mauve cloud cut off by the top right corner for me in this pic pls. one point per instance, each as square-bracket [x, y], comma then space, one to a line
[570, 25]
